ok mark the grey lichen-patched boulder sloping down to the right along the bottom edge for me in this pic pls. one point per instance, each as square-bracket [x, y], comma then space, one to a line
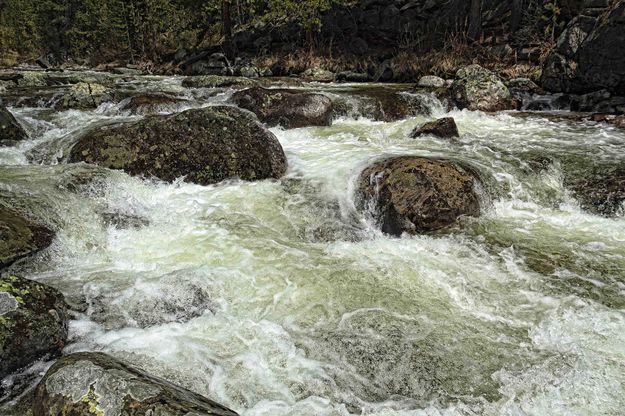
[96, 384]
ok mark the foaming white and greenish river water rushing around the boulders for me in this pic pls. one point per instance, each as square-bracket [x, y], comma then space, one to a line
[280, 298]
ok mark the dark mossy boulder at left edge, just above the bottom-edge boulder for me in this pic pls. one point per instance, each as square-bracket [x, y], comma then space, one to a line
[33, 323]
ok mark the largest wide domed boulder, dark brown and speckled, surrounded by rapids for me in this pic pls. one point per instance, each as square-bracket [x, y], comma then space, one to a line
[205, 145]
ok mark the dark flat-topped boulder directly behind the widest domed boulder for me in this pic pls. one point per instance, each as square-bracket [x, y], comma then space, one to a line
[291, 109]
